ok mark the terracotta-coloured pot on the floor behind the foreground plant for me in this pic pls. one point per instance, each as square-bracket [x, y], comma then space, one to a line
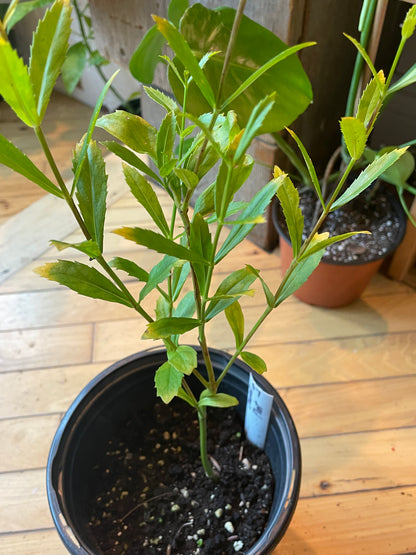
[333, 285]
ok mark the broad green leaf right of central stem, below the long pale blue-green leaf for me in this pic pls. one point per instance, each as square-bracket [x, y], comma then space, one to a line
[233, 286]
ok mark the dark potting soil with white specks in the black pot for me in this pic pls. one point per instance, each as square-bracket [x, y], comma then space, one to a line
[157, 499]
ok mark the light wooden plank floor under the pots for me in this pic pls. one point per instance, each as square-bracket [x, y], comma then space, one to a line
[348, 377]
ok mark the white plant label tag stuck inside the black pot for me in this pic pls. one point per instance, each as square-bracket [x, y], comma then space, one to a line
[258, 409]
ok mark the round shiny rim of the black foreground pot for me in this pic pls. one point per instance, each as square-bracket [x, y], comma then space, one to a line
[276, 525]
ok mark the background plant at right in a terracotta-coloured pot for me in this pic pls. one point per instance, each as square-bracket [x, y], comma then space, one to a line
[346, 269]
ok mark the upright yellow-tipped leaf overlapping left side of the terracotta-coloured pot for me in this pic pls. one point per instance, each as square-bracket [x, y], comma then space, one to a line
[289, 199]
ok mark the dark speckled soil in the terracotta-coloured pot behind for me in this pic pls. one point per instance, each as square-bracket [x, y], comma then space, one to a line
[372, 213]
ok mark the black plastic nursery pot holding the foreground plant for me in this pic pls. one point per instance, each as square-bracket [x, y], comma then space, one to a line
[110, 399]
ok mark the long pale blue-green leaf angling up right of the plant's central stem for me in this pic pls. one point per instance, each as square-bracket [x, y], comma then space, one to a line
[256, 207]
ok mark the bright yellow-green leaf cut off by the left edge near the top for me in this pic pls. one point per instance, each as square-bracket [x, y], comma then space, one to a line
[15, 85]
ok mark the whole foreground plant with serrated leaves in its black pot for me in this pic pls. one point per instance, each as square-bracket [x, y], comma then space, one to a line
[116, 417]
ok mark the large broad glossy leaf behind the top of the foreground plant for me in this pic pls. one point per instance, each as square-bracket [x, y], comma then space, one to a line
[208, 30]
